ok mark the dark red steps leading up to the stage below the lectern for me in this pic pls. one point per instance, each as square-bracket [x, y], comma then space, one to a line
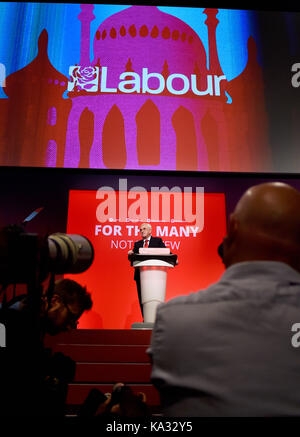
[104, 357]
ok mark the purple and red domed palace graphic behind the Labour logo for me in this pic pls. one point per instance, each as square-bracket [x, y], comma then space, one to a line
[151, 98]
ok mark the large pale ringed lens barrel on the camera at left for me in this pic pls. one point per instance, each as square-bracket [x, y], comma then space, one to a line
[69, 253]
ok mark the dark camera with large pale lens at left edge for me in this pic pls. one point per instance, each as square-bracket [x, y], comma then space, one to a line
[24, 255]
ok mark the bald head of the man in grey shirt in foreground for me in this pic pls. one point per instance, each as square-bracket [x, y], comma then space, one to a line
[265, 225]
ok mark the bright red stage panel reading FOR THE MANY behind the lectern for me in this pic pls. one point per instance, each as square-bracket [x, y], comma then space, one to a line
[192, 225]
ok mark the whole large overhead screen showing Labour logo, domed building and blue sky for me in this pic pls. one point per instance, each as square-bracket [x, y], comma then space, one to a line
[149, 87]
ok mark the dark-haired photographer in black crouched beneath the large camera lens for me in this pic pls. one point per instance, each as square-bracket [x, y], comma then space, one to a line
[32, 380]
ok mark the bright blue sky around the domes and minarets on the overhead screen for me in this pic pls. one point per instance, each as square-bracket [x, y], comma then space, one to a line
[22, 23]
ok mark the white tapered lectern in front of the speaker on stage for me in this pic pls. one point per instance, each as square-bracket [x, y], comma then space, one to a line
[153, 264]
